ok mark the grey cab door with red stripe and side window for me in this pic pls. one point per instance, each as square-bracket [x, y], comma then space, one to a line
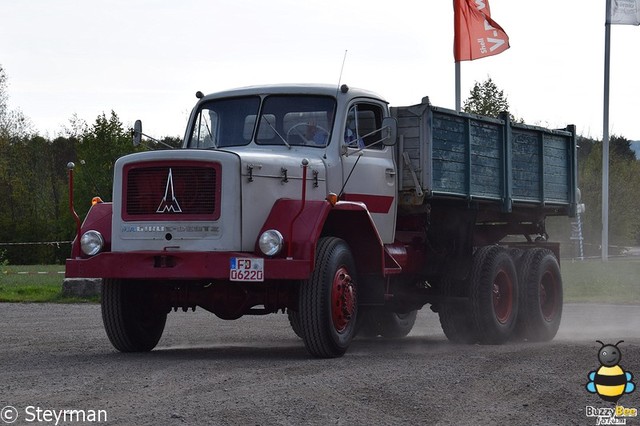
[368, 166]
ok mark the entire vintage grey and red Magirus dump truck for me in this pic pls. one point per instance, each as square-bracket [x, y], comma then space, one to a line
[324, 203]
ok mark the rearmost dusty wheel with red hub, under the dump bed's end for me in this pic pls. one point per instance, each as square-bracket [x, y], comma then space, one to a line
[542, 298]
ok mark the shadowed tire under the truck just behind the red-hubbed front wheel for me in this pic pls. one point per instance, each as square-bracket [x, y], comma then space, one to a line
[388, 324]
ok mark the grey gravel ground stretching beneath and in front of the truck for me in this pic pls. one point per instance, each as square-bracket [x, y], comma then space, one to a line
[254, 371]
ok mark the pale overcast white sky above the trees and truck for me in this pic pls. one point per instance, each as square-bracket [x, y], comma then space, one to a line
[145, 59]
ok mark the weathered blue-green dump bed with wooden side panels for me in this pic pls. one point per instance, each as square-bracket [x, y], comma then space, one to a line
[442, 153]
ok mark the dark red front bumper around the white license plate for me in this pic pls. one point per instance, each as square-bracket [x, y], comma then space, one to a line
[168, 265]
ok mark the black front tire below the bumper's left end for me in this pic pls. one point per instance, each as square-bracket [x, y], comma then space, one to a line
[129, 318]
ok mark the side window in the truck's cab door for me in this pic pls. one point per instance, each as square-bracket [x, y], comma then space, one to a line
[363, 124]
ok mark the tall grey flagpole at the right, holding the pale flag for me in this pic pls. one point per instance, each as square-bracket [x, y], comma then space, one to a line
[605, 137]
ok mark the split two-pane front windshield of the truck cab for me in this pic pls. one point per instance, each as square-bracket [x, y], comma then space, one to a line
[284, 120]
